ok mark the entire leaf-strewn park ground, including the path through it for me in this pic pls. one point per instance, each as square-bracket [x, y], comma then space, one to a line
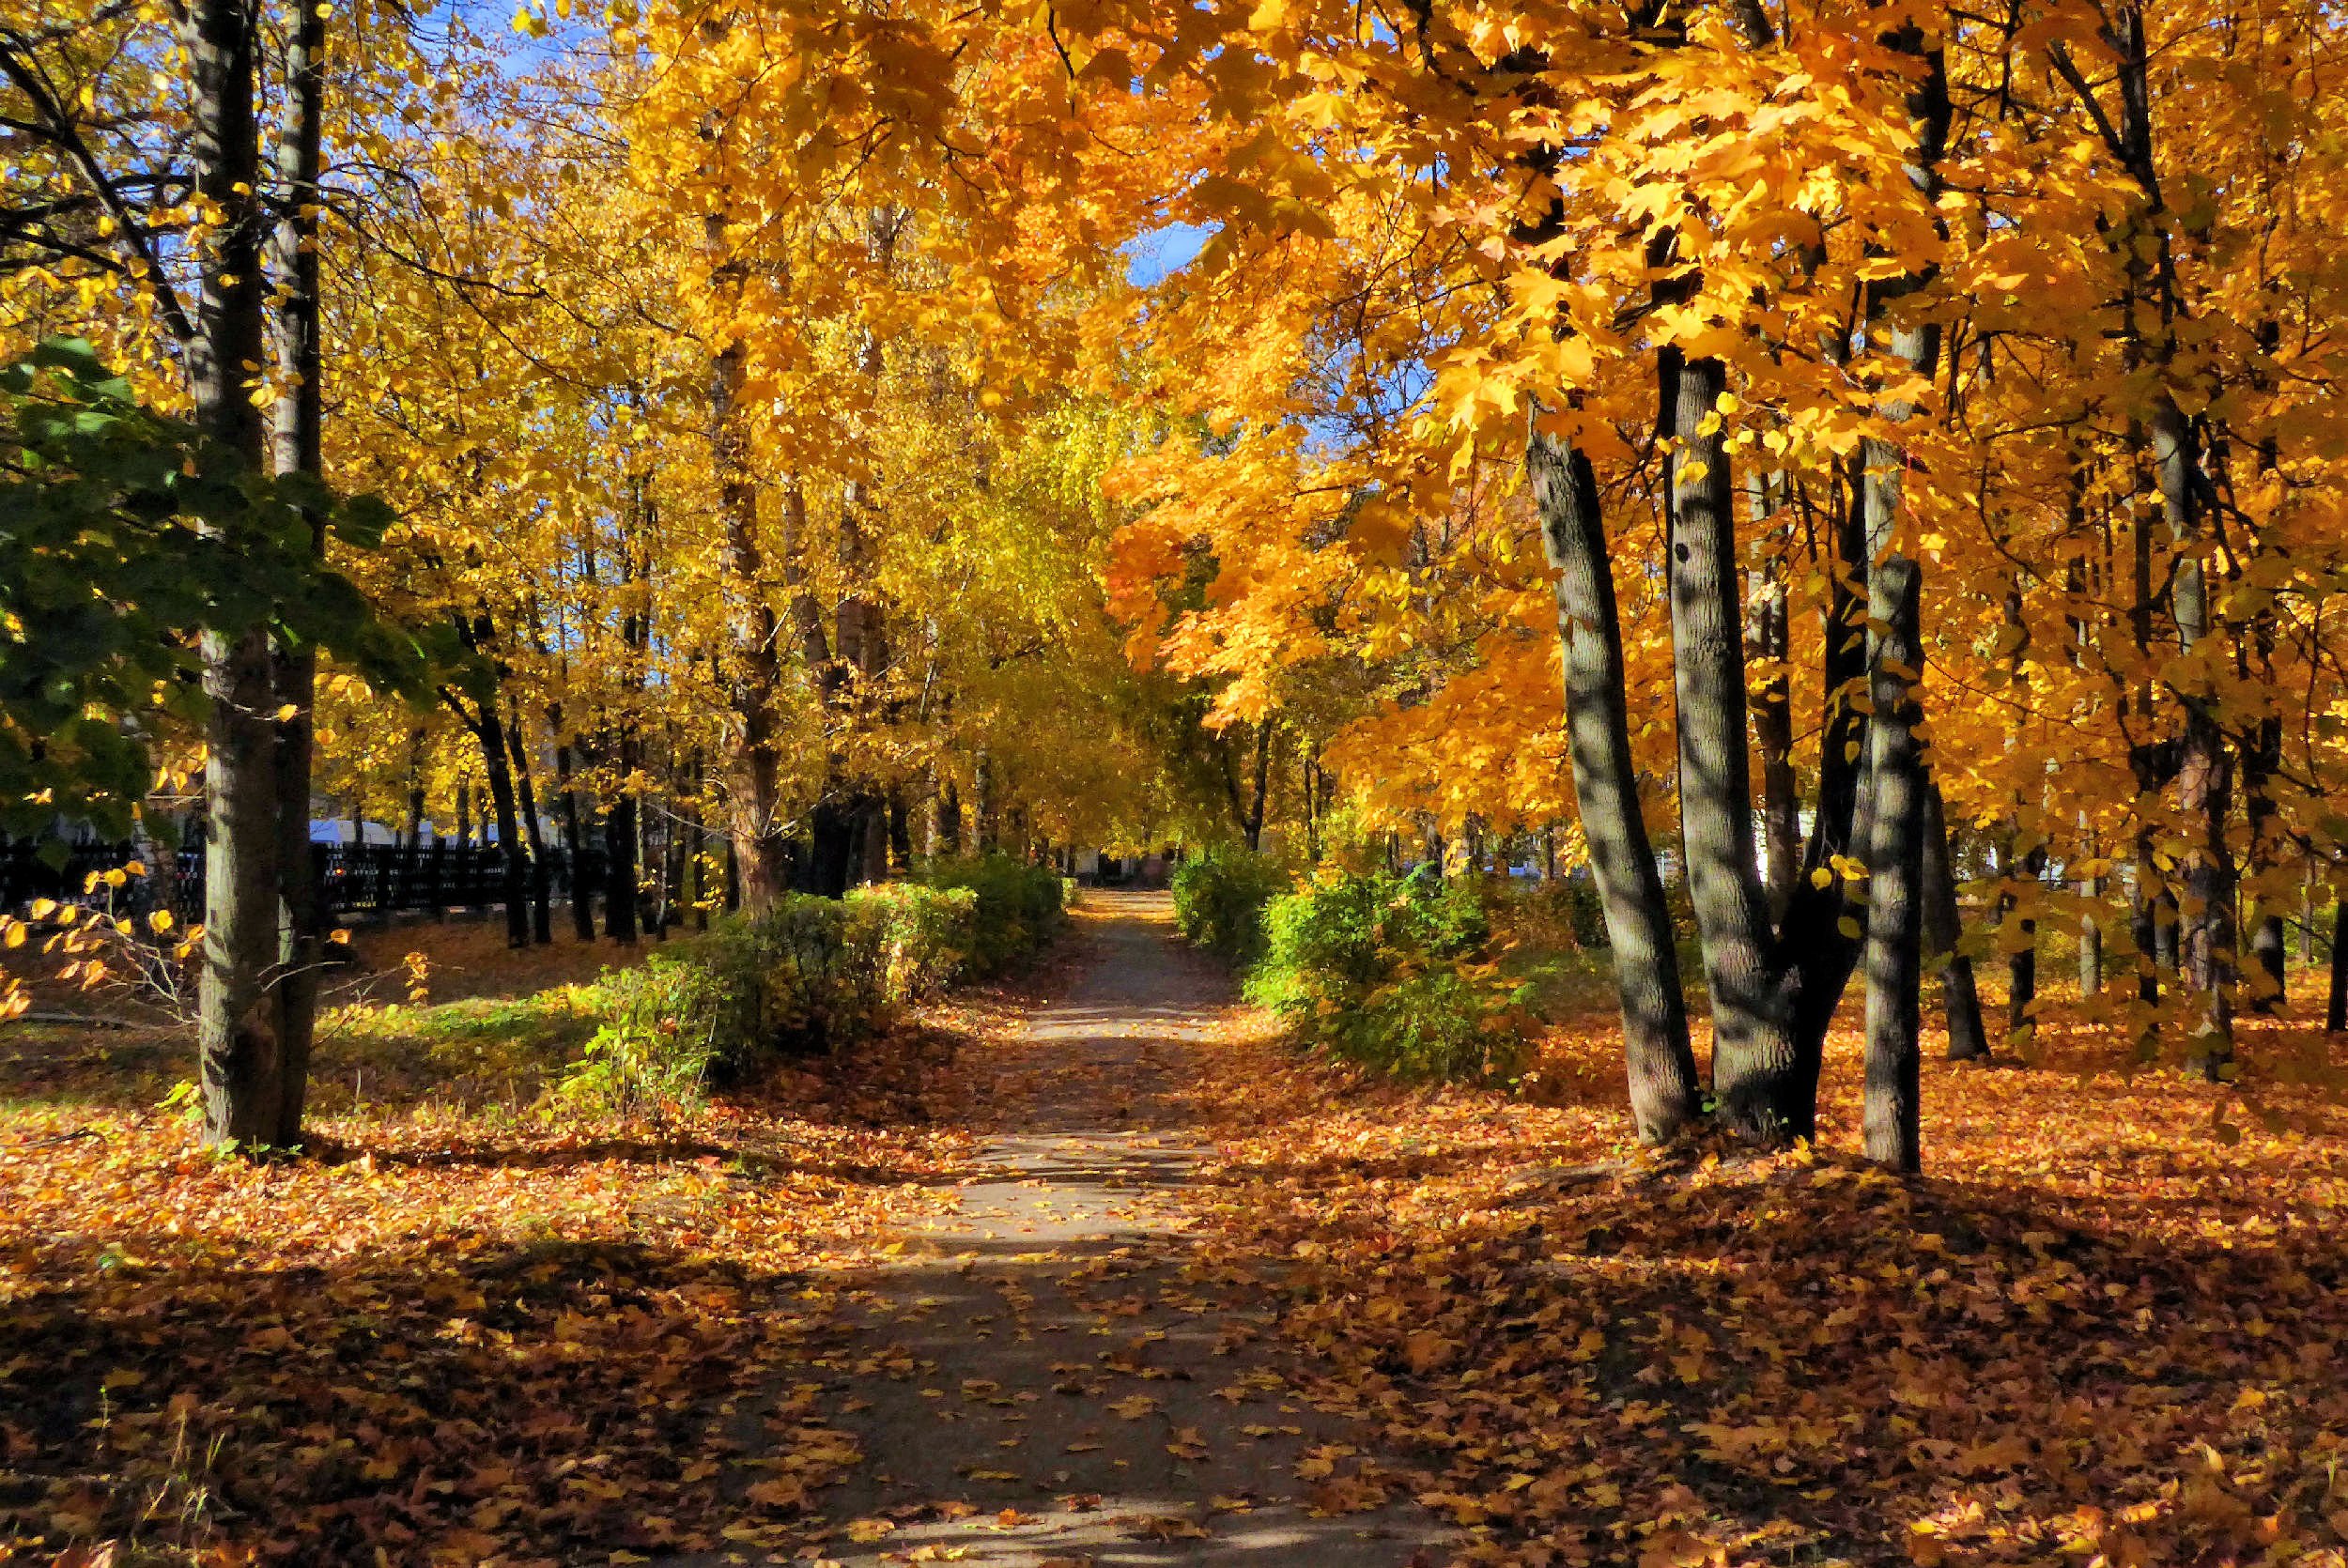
[1098, 1271]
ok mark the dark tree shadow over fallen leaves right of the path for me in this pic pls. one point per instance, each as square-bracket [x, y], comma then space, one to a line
[1809, 1360]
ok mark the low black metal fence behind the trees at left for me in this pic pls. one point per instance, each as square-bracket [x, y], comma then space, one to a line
[356, 881]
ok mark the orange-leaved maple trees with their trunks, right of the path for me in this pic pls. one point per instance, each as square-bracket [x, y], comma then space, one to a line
[1908, 421]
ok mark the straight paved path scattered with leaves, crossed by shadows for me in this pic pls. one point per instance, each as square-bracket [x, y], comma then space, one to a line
[1048, 1374]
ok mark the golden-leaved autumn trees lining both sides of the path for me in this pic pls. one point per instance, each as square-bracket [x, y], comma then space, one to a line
[1915, 428]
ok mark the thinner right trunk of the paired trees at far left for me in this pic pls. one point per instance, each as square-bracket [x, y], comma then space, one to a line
[299, 450]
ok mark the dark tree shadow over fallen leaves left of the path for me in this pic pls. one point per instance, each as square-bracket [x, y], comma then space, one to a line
[546, 1403]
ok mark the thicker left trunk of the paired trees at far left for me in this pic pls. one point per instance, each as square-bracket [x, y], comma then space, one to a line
[238, 1043]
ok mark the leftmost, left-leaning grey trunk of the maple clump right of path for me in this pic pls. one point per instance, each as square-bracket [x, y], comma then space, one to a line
[1666, 1093]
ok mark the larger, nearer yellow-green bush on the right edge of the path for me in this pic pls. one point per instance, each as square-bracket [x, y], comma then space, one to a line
[1394, 973]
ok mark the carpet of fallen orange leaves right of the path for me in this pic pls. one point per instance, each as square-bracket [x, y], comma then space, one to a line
[2093, 1334]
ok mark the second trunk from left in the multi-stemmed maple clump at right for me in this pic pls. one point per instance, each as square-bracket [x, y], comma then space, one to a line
[1757, 1069]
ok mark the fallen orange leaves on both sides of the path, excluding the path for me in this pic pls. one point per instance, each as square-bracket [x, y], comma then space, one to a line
[2105, 1330]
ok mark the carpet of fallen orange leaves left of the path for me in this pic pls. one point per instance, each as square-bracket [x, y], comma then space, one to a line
[466, 1334]
